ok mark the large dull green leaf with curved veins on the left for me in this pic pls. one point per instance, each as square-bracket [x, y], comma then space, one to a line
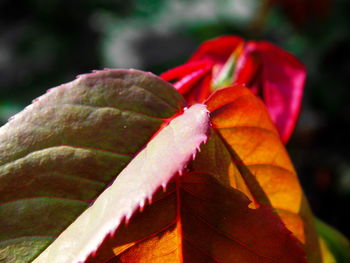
[59, 153]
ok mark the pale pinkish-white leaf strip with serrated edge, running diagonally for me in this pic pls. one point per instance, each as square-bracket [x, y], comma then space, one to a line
[175, 145]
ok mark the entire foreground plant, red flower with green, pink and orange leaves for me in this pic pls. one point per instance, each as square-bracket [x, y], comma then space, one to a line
[199, 171]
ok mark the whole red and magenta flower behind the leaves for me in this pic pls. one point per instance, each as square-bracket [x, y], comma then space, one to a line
[271, 73]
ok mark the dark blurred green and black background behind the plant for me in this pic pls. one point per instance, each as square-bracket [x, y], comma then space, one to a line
[46, 43]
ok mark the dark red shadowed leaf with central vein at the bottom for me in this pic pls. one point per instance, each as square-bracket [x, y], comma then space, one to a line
[199, 220]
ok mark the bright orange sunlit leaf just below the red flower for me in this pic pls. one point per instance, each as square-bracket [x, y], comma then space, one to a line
[246, 153]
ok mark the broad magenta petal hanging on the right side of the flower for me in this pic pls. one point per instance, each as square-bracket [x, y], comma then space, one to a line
[283, 78]
